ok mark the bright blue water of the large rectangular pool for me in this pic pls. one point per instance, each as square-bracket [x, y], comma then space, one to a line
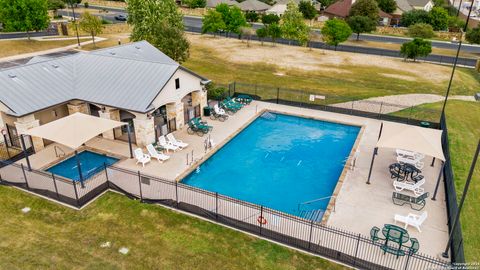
[279, 163]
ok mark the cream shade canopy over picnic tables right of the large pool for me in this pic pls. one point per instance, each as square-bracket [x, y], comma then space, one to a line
[412, 138]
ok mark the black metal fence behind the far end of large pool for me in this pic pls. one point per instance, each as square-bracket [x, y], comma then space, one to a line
[337, 104]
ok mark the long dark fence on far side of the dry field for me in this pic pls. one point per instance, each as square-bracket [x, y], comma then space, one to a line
[440, 59]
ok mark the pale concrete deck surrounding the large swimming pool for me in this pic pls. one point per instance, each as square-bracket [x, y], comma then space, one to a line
[358, 206]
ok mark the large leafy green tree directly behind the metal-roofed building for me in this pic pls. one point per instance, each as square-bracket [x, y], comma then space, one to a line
[161, 24]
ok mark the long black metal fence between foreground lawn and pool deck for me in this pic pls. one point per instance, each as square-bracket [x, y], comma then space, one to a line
[350, 248]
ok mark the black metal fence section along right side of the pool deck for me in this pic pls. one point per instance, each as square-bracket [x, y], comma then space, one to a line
[456, 247]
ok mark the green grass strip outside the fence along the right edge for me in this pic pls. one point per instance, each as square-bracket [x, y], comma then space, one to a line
[463, 121]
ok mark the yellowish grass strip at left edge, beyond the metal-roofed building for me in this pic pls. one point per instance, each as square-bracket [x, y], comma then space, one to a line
[14, 47]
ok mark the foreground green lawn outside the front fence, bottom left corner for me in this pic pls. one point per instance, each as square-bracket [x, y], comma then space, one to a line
[56, 237]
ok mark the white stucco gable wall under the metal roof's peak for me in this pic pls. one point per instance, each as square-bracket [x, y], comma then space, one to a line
[188, 83]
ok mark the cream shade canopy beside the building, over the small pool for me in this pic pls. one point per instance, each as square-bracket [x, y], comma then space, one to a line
[74, 130]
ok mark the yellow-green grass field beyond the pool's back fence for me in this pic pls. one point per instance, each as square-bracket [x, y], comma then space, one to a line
[358, 83]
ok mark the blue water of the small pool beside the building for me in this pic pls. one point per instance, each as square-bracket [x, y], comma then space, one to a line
[90, 162]
